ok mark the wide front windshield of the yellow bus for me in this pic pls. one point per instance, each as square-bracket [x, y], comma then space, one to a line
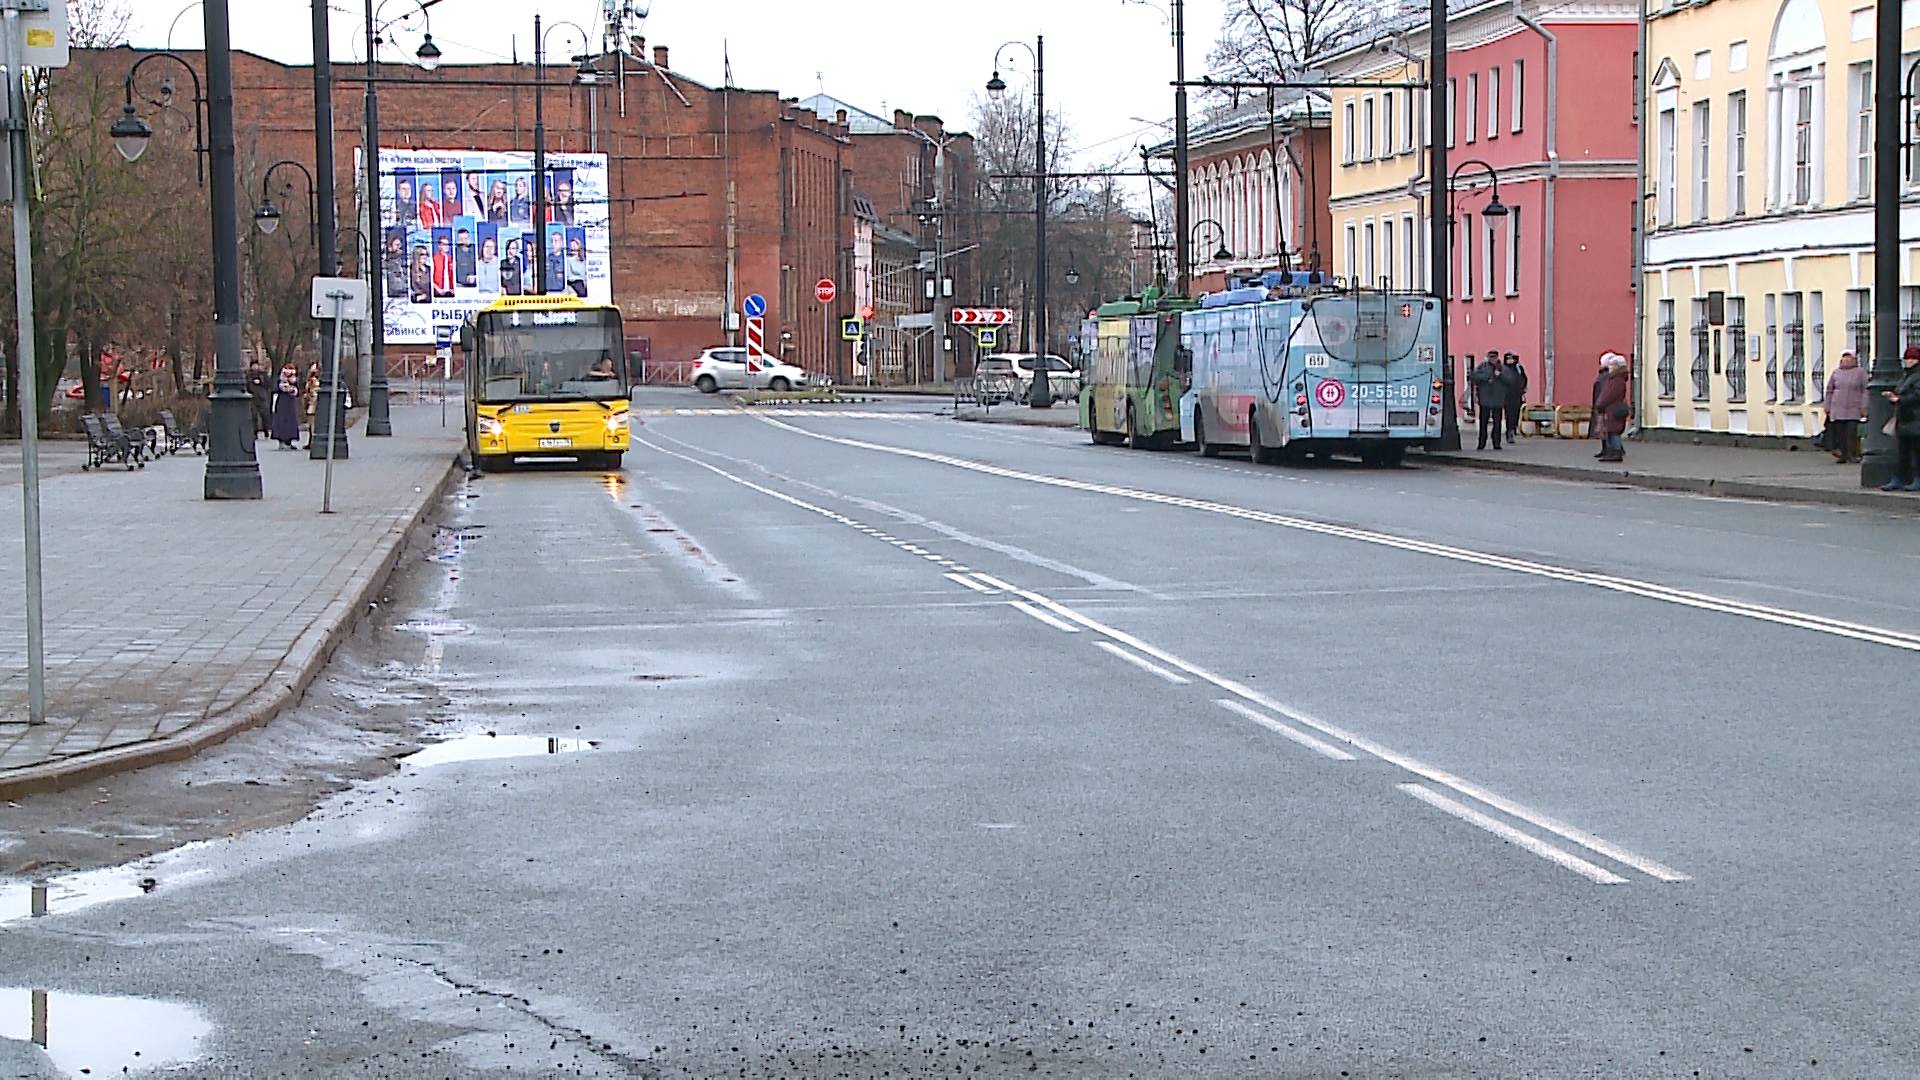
[544, 356]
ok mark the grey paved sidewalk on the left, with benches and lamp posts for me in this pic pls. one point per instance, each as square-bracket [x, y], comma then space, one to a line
[174, 622]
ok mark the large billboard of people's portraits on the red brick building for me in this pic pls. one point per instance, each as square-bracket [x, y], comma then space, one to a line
[458, 233]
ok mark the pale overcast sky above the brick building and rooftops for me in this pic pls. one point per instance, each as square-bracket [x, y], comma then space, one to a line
[1107, 61]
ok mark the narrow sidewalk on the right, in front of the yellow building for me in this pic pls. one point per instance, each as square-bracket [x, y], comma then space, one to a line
[1781, 476]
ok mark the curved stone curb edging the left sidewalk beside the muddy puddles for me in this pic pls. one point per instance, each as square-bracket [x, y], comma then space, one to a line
[281, 691]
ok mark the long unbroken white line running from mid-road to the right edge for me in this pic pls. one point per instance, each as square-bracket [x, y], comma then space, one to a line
[1650, 591]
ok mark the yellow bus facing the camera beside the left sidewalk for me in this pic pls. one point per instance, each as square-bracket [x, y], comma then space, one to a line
[546, 380]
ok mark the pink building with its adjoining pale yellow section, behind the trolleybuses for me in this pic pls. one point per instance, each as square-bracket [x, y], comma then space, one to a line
[1543, 97]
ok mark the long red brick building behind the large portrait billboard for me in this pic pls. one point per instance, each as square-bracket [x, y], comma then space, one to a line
[683, 160]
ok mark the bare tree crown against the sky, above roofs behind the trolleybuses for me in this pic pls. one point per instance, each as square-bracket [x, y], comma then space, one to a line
[1278, 39]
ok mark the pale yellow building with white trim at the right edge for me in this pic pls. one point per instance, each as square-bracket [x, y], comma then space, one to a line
[1758, 218]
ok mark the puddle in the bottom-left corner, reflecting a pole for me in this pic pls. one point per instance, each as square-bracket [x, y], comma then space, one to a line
[87, 1035]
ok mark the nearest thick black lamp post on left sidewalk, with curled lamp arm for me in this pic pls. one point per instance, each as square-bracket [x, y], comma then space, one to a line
[233, 472]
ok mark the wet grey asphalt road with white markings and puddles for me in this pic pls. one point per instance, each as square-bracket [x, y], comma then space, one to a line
[890, 747]
